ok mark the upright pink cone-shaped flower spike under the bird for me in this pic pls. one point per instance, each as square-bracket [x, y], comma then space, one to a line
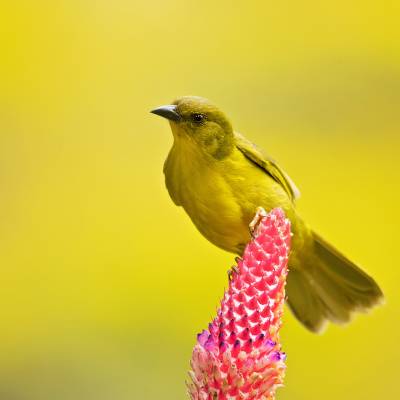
[239, 355]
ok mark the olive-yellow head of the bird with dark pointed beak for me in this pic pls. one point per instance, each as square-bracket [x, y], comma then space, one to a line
[197, 120]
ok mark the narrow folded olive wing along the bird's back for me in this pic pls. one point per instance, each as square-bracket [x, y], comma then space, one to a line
[267, 164]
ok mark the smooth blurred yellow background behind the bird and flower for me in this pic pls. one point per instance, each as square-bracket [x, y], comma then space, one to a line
[104, 282]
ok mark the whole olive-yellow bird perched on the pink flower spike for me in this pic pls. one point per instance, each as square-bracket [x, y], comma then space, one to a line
[220, 178]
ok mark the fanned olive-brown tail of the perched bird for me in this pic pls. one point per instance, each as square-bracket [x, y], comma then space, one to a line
[329, 287]
